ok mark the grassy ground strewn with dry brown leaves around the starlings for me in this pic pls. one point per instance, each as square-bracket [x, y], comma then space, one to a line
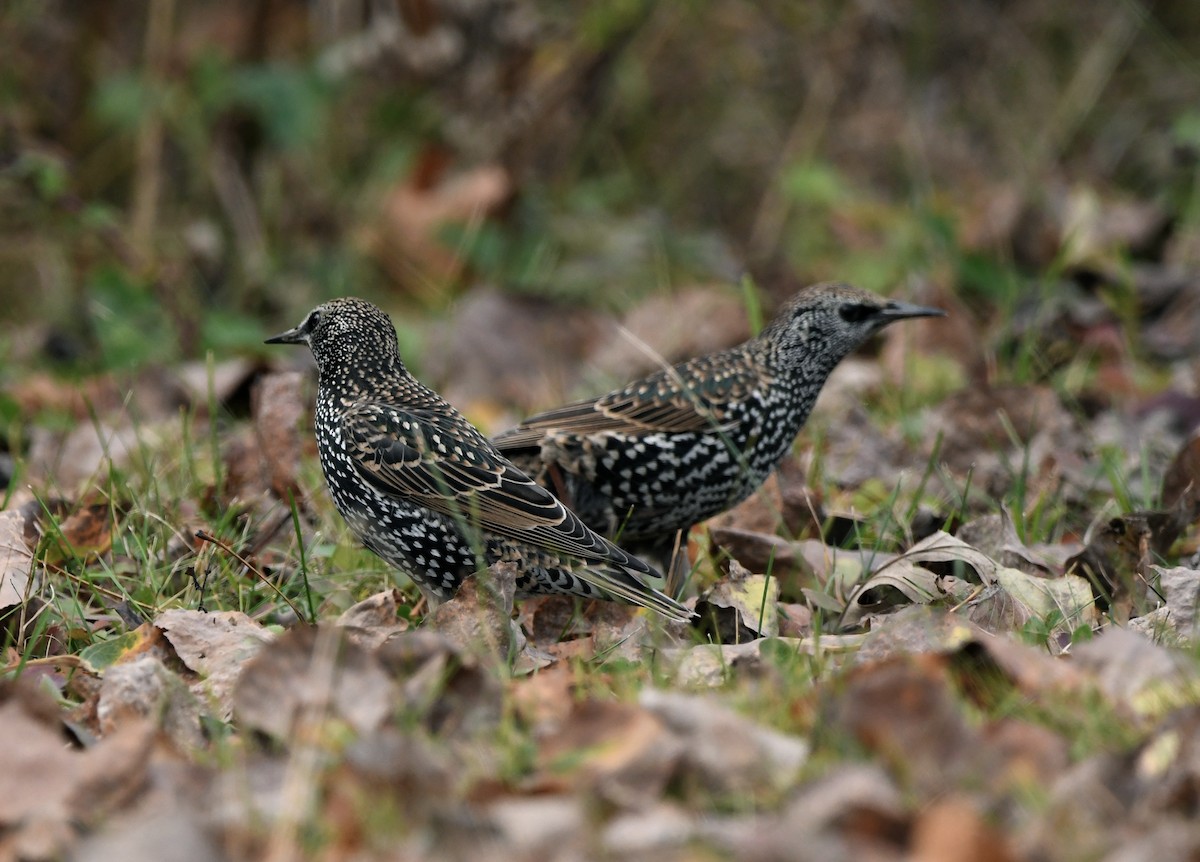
[889, 663]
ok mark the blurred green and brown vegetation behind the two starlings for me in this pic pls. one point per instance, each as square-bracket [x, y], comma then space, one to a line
[183, 177]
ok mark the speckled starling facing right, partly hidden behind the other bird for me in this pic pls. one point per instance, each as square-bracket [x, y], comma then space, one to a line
[689, 442]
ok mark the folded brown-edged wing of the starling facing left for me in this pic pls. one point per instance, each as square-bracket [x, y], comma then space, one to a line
[423, 457]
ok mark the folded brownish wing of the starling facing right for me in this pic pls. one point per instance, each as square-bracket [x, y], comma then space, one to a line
[689, 398]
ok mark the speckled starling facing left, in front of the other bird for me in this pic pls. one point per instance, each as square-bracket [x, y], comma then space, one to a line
[427, 492]
